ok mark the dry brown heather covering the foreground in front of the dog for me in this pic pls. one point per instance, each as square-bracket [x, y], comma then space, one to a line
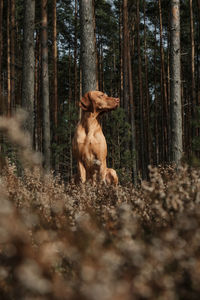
[81, 242]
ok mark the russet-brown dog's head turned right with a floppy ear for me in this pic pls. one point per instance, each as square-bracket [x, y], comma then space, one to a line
[96, 101]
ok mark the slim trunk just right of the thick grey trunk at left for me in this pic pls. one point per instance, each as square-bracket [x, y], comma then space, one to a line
[45, 88]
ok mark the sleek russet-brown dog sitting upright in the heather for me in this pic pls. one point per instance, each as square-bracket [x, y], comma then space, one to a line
[89, 144]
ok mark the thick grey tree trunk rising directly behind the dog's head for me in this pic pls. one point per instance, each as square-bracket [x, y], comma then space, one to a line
[88, 49]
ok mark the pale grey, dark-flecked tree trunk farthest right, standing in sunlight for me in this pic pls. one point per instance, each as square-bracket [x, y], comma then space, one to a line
[177, 145]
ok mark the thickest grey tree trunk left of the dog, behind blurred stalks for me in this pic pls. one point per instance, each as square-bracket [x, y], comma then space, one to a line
[28, 65]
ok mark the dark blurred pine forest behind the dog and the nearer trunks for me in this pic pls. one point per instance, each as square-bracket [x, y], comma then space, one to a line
[133, 42]
